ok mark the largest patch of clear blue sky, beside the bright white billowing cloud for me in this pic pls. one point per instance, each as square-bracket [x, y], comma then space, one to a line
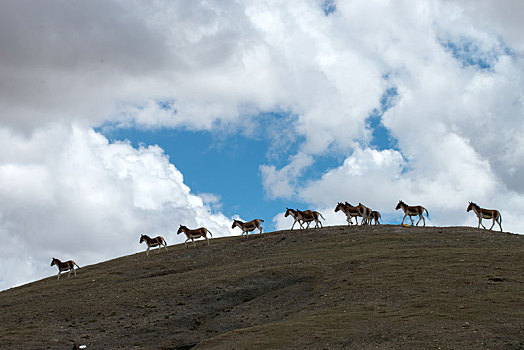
[225, 166]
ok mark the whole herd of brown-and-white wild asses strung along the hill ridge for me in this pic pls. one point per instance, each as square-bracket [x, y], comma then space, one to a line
[303, 217]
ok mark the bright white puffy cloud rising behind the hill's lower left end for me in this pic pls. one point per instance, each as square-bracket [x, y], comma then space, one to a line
[70, 194]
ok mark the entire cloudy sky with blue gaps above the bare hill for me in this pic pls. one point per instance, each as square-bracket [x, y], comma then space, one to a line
[119, 118]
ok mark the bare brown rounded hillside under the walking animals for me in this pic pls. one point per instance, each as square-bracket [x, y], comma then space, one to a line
[333, 288]
